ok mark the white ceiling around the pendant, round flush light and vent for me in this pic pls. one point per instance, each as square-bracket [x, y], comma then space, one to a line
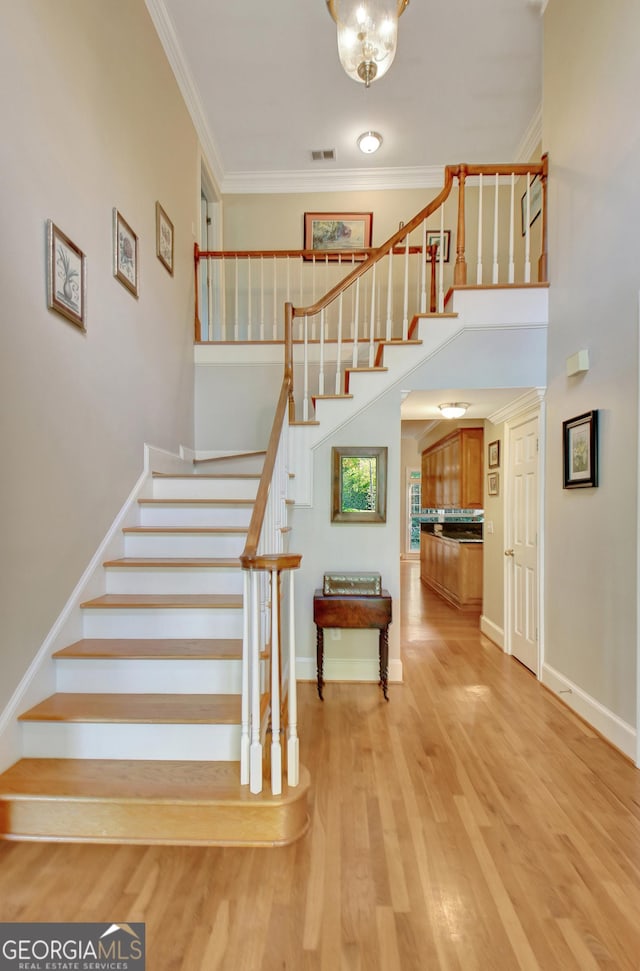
[264, 86]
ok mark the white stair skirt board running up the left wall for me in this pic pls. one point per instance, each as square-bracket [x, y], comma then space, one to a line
[39, 680]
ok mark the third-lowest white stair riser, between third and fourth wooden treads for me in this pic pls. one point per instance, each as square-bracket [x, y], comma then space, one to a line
[163, 622]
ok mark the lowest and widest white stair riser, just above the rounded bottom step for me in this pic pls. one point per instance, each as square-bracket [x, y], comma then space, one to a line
[108, 740]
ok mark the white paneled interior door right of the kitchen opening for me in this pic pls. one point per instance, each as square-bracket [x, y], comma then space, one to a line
[522, 549]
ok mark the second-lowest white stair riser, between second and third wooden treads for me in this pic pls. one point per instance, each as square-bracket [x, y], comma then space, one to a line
[138, 676]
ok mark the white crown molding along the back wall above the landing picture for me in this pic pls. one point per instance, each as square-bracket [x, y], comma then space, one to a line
[334, 180]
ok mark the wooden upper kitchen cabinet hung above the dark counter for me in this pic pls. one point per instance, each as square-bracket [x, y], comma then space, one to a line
[452, 471]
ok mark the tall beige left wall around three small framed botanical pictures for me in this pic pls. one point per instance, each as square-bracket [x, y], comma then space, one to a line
[92, 119]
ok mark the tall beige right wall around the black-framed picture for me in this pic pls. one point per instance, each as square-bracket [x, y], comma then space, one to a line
[591, 131]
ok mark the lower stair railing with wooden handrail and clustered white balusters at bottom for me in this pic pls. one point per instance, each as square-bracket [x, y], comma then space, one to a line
[269, 622]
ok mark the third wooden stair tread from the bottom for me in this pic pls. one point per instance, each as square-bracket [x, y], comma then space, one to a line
[135, 648]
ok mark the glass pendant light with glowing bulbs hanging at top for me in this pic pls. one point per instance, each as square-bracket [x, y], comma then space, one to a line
[367, 35]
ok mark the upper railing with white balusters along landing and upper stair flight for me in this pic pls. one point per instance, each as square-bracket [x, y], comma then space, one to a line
[343, 305]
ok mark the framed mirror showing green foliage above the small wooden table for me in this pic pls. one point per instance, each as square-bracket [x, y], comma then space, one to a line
[359, 485]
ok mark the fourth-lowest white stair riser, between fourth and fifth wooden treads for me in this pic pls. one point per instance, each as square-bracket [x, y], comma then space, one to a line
[167, 580]
